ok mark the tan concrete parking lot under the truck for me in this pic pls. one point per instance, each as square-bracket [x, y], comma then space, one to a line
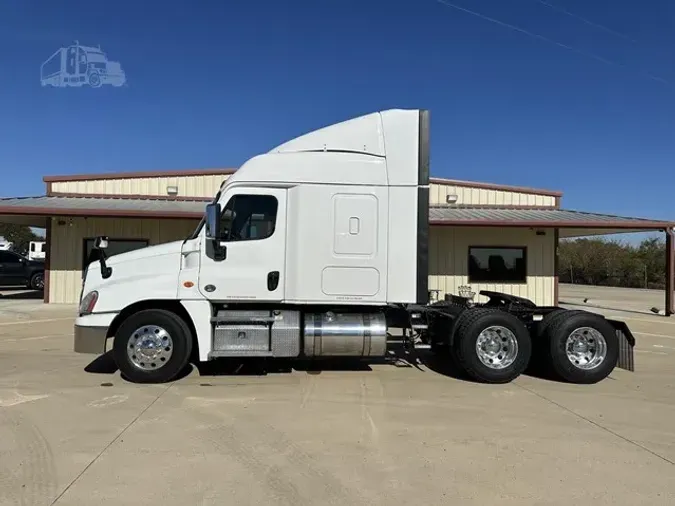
[385, 434]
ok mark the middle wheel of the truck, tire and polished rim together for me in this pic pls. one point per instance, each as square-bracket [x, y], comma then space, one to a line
[492, 346]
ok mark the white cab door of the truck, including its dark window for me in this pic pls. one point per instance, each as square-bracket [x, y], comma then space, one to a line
[250, 265]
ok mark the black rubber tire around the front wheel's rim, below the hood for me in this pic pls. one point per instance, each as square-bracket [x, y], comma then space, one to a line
[180, 337]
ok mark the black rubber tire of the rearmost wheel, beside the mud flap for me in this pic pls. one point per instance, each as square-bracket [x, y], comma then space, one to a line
[561, 328]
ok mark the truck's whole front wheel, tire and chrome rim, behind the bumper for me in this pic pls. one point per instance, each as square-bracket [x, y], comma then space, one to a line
[152, 346]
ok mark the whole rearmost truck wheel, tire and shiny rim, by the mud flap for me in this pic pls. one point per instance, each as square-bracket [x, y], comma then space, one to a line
[582, 347]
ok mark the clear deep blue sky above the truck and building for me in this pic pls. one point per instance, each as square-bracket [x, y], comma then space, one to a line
[211, 83]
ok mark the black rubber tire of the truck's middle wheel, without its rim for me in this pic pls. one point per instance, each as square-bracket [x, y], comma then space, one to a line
[469, 328]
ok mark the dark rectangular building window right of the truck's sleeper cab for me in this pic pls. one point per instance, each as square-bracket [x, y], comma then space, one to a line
[499, 264]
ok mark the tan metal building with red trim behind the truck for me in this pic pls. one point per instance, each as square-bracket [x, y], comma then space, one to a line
[482, 236]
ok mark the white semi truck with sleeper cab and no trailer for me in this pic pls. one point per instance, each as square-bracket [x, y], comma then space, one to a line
[316, 249]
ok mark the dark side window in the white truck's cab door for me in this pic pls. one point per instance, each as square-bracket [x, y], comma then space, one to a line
[249, 217]
